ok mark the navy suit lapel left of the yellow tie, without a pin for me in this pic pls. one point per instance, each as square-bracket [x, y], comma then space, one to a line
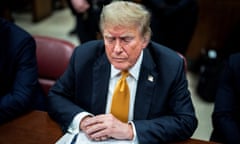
[101, 74]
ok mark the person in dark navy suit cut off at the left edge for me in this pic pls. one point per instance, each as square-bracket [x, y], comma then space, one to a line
[18, 72]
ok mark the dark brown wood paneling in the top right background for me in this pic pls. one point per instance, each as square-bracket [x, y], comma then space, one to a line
[216, 19]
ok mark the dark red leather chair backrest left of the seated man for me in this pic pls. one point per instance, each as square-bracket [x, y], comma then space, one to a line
[53, 55]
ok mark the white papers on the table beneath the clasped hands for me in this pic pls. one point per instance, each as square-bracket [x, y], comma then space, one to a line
[81, 138]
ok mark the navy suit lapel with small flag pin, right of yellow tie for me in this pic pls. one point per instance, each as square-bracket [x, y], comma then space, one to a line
[145, 88]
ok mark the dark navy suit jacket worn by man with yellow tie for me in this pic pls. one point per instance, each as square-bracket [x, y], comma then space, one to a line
[163, 109]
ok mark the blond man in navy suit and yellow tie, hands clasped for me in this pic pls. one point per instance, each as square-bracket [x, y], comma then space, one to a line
[160, 108]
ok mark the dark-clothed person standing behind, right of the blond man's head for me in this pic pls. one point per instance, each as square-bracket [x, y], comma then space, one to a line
[173, 22]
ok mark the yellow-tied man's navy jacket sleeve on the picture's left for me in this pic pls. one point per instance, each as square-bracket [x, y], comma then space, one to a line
[61, 97]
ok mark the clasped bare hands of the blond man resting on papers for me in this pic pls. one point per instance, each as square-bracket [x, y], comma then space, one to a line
[105, 126]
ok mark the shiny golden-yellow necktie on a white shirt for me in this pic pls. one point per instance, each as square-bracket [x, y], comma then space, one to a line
[120, 100]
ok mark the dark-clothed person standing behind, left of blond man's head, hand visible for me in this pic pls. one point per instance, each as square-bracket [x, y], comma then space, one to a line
[87, 14]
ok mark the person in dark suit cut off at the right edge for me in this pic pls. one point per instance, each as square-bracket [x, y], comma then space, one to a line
[226, 117]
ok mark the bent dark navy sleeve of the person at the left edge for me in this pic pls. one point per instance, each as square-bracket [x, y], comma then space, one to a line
[24, 75]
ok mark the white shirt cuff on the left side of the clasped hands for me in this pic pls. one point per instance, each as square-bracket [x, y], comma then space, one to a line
[74, 126]
